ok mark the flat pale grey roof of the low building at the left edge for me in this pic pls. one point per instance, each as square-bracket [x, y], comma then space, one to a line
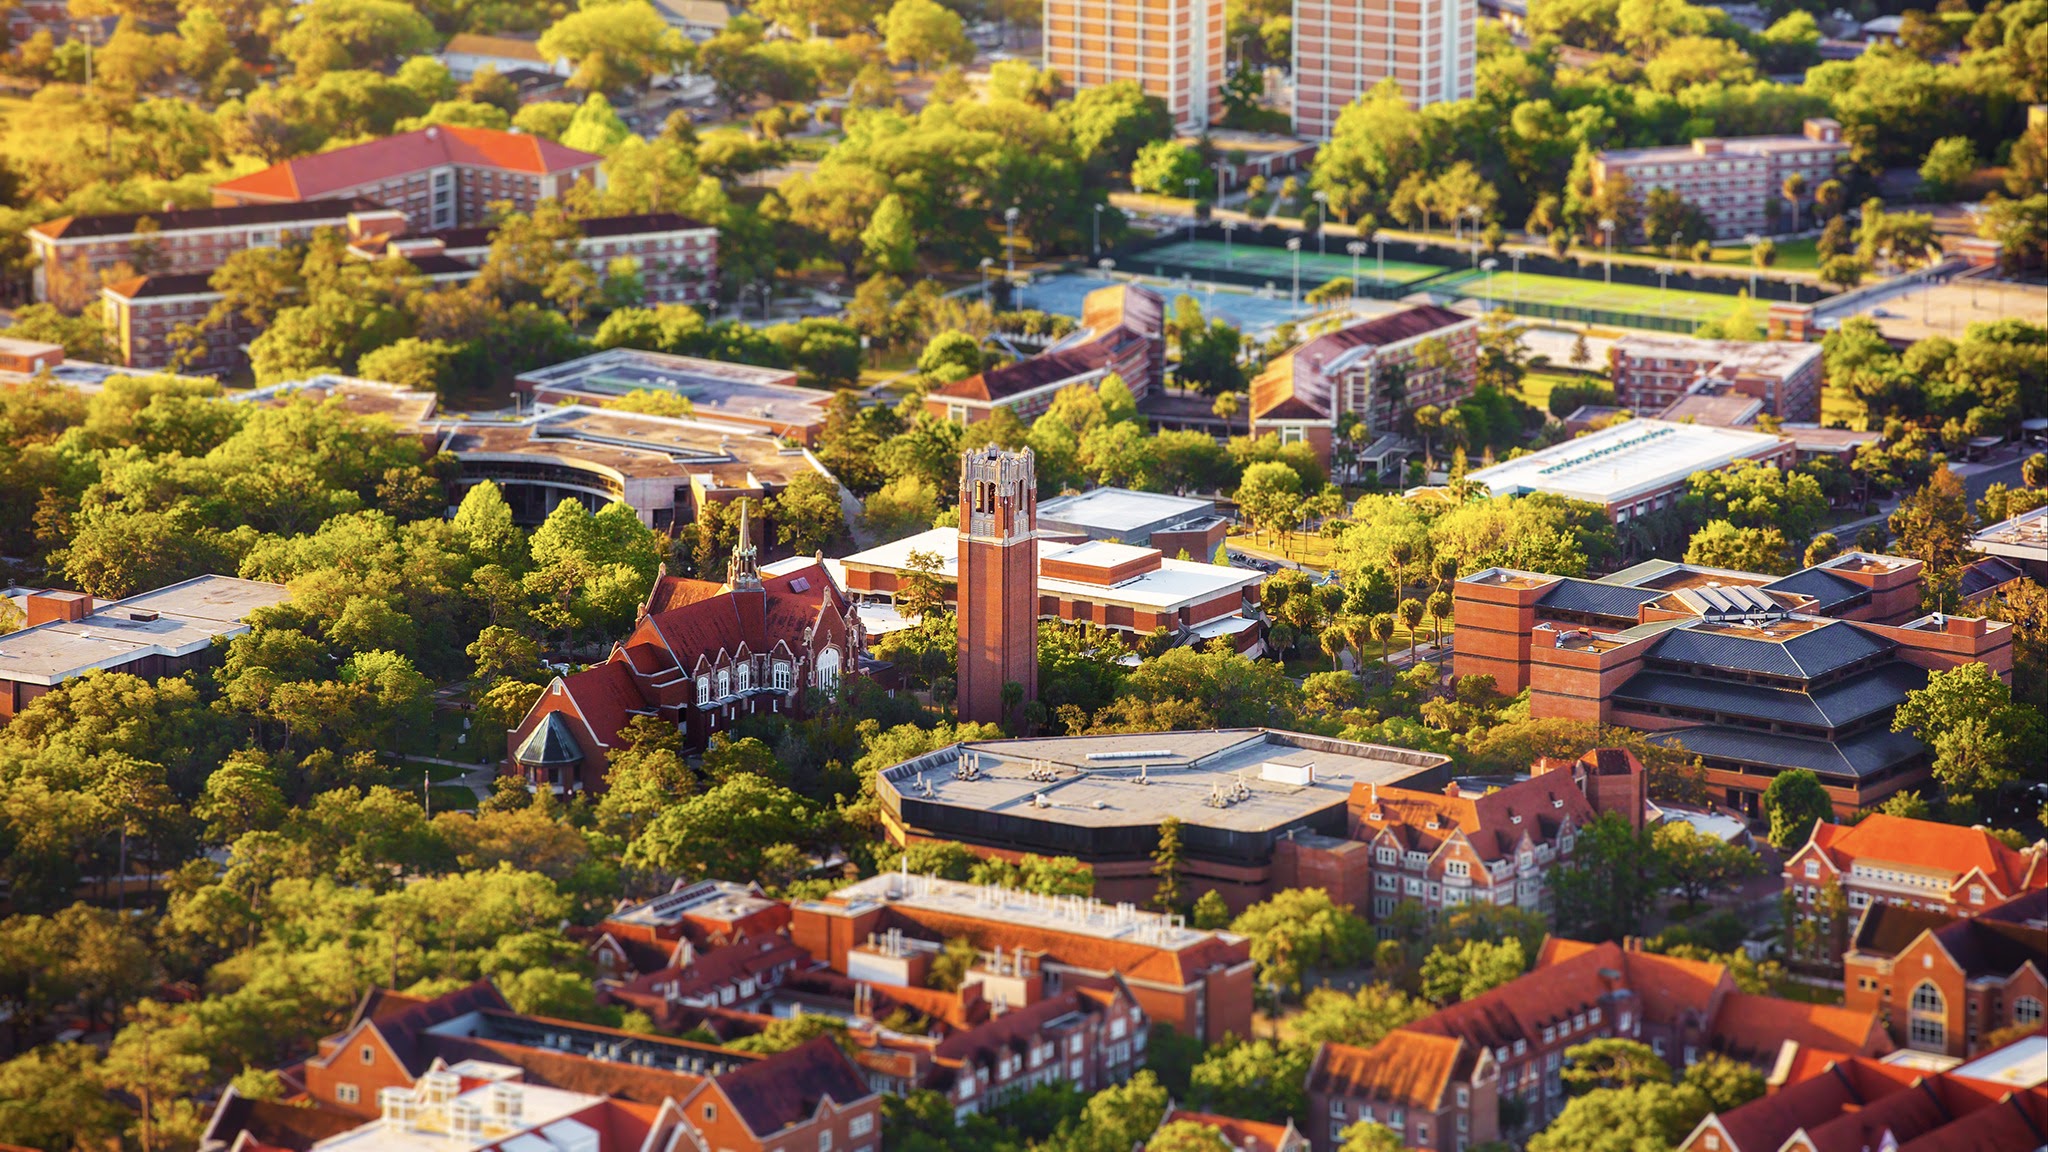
[189, 618]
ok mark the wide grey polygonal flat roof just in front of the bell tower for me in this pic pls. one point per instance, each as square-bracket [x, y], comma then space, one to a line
[1097, 780]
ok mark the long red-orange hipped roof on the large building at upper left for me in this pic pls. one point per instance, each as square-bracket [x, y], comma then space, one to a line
[345, 169]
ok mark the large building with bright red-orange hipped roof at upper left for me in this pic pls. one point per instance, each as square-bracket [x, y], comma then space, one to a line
[439, 177]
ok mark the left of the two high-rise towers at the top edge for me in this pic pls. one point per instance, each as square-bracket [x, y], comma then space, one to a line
[1168, 48]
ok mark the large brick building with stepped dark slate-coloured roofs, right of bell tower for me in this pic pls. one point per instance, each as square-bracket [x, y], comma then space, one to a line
[1750, 673]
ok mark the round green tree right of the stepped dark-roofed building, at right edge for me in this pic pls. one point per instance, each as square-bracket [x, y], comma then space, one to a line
[1979, 735]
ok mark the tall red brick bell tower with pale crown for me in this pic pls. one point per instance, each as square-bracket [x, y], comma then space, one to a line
[998, 600]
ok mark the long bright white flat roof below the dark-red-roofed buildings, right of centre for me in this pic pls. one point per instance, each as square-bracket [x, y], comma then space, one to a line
[1625, 460]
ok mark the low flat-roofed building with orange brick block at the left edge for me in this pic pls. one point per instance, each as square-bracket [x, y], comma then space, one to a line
[151, 634]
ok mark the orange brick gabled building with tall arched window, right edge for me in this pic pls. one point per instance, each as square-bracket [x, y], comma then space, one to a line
[1947, 983]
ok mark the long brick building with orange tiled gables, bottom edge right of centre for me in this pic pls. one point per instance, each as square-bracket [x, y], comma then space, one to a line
[1510, 1044]
